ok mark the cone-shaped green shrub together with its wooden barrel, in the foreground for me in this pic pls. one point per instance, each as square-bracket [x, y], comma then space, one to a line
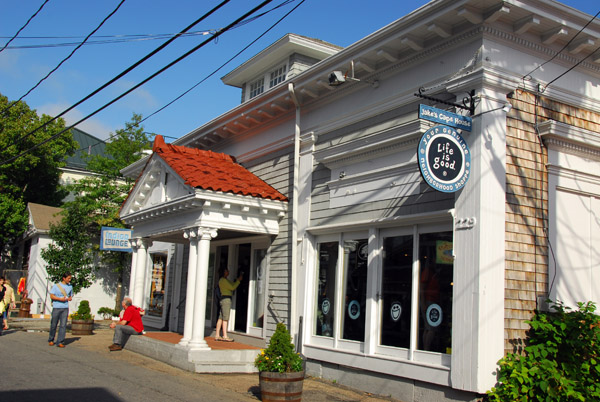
[281, 371]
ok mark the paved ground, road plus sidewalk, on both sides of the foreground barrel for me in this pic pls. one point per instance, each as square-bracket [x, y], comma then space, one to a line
[85, 371]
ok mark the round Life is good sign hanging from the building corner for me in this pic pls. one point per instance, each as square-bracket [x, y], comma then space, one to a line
[444, 159]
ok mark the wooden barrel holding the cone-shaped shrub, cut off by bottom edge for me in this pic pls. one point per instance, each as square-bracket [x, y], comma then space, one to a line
[281, 386]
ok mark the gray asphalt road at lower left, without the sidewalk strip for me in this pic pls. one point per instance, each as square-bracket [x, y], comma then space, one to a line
[32, 371]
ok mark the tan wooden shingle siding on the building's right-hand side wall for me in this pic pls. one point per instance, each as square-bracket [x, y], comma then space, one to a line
[526, 275]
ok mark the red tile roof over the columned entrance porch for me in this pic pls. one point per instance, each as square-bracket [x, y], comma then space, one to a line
[213, 171]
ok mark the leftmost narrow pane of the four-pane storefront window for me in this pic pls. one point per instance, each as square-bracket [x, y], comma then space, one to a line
[328, 257]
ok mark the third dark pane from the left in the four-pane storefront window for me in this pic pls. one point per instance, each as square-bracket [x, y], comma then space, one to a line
[396, 291]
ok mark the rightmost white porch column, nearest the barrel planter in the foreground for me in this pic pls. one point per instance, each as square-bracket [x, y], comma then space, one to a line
[204, 235]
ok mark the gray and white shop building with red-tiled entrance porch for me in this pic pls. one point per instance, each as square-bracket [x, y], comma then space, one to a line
[387, 284]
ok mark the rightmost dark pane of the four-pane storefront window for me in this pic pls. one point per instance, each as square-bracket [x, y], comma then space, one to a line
[435, 292]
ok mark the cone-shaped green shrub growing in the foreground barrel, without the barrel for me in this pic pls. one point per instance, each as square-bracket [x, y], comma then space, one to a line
[279, 356]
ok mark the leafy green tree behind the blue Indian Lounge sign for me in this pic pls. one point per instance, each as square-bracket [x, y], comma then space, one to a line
[99, 198]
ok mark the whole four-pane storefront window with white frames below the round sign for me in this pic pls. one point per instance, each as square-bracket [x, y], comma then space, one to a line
[412, 275]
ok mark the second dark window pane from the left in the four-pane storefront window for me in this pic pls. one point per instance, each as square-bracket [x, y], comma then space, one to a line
[356, 253]
